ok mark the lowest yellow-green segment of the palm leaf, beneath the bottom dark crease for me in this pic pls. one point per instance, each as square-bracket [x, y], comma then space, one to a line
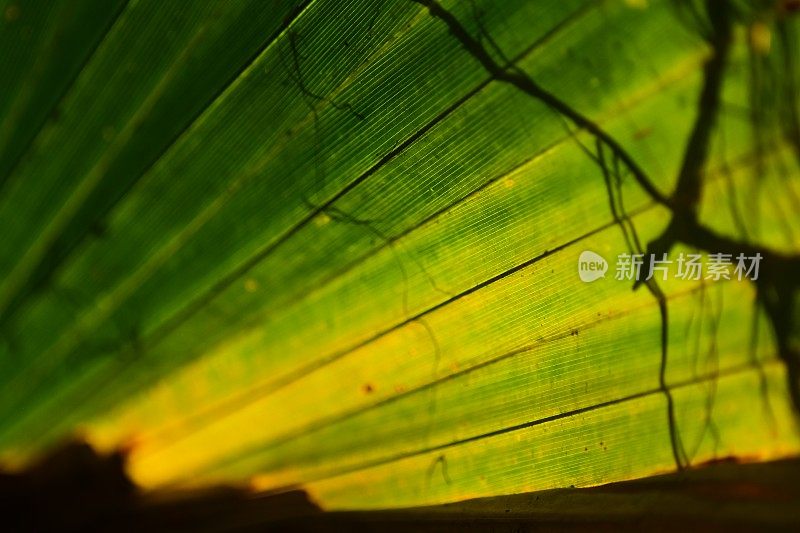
[622, 441]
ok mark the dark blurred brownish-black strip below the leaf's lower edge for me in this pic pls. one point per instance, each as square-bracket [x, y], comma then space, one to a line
[75, 489]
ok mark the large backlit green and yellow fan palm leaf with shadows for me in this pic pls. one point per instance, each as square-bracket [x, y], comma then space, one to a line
[334, 245]
